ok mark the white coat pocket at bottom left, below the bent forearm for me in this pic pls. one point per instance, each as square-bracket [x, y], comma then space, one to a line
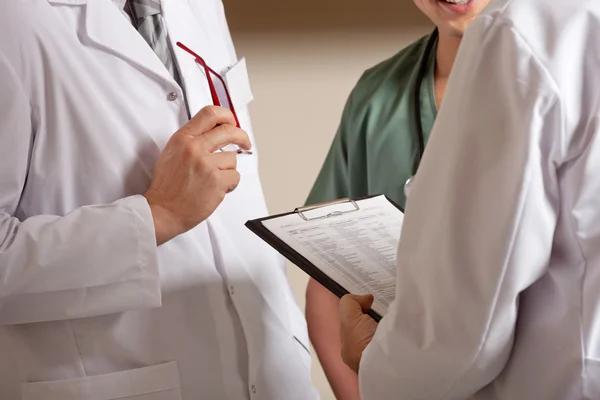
[158, 382]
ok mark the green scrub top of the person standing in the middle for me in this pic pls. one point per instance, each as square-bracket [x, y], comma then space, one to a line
[376, 146]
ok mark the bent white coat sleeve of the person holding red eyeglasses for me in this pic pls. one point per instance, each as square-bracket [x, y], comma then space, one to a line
[96, 260]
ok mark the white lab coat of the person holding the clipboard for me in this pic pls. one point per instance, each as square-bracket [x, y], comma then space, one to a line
[498, 284]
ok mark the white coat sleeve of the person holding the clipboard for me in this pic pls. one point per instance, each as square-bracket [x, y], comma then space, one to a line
[478, 228]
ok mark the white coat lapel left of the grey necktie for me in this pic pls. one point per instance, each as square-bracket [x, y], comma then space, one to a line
[109, 30]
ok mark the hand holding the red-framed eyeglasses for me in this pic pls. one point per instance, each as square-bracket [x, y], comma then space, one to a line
[191, 178]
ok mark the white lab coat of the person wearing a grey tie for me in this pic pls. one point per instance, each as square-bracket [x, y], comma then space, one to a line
[90, 309]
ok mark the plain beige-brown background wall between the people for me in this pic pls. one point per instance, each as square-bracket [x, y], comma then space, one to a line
[304, 58]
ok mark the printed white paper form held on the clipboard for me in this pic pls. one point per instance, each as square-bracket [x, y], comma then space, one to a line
[356, 249]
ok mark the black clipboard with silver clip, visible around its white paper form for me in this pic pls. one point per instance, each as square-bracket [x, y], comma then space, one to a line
[299, 260]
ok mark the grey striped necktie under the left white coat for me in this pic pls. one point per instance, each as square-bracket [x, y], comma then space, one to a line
[146, 17]
